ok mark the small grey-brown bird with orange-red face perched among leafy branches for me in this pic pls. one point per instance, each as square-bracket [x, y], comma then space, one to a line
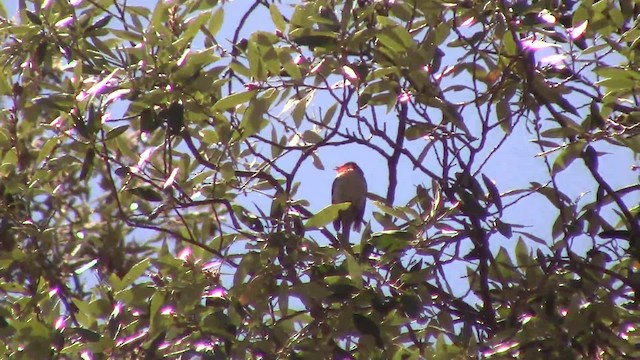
[349, 186]
